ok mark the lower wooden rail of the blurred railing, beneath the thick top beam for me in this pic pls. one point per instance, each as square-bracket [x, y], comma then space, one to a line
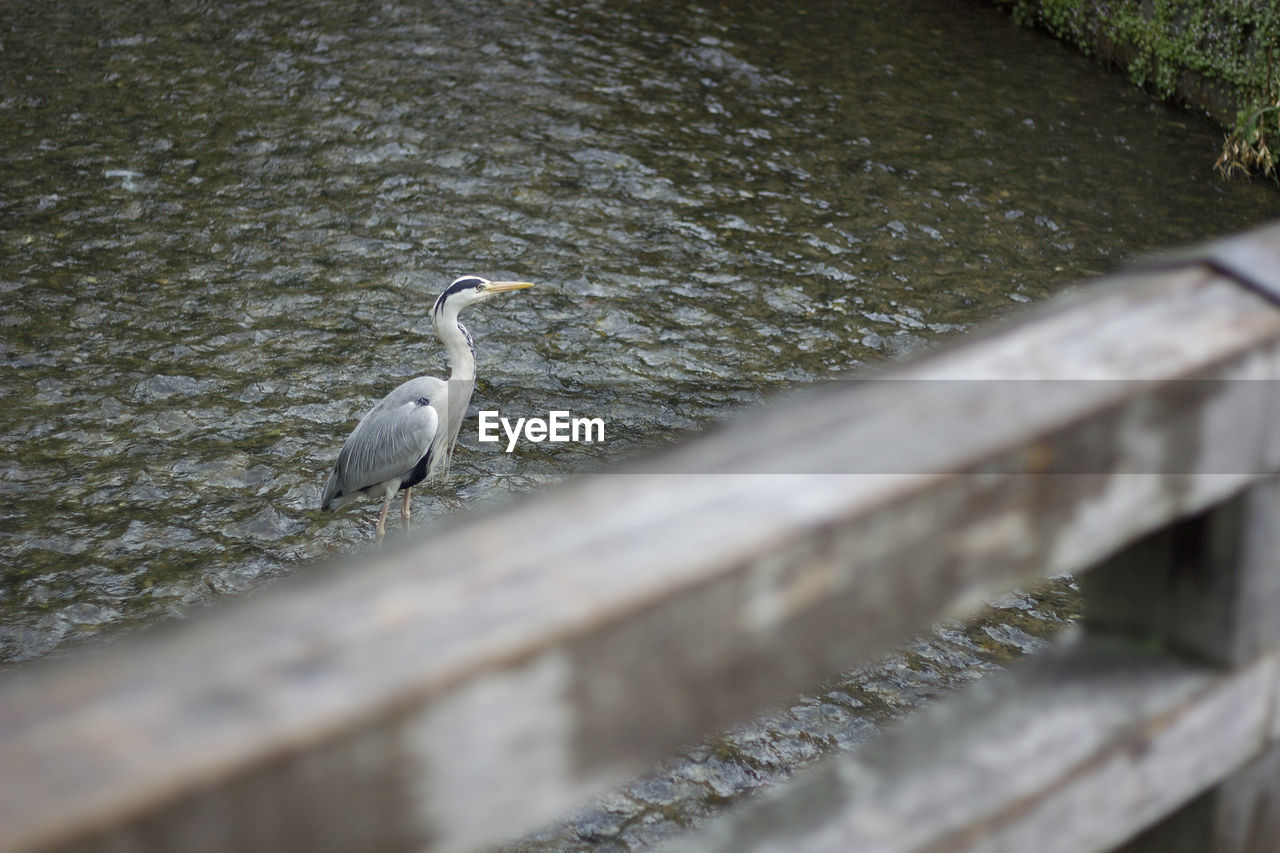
[1069, 754]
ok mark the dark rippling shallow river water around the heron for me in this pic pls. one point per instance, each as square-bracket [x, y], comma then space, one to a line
[222, 227]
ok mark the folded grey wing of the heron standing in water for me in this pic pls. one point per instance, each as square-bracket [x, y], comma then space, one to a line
[387, 444]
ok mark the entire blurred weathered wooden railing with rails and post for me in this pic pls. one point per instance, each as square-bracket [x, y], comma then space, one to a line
[501, 669]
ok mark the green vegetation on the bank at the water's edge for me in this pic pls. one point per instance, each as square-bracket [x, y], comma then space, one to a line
[1168, 44]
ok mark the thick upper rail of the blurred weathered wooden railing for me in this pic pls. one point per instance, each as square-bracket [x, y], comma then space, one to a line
[548, 649]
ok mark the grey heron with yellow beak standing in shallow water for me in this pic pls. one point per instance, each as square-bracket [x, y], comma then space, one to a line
[410, 435]
